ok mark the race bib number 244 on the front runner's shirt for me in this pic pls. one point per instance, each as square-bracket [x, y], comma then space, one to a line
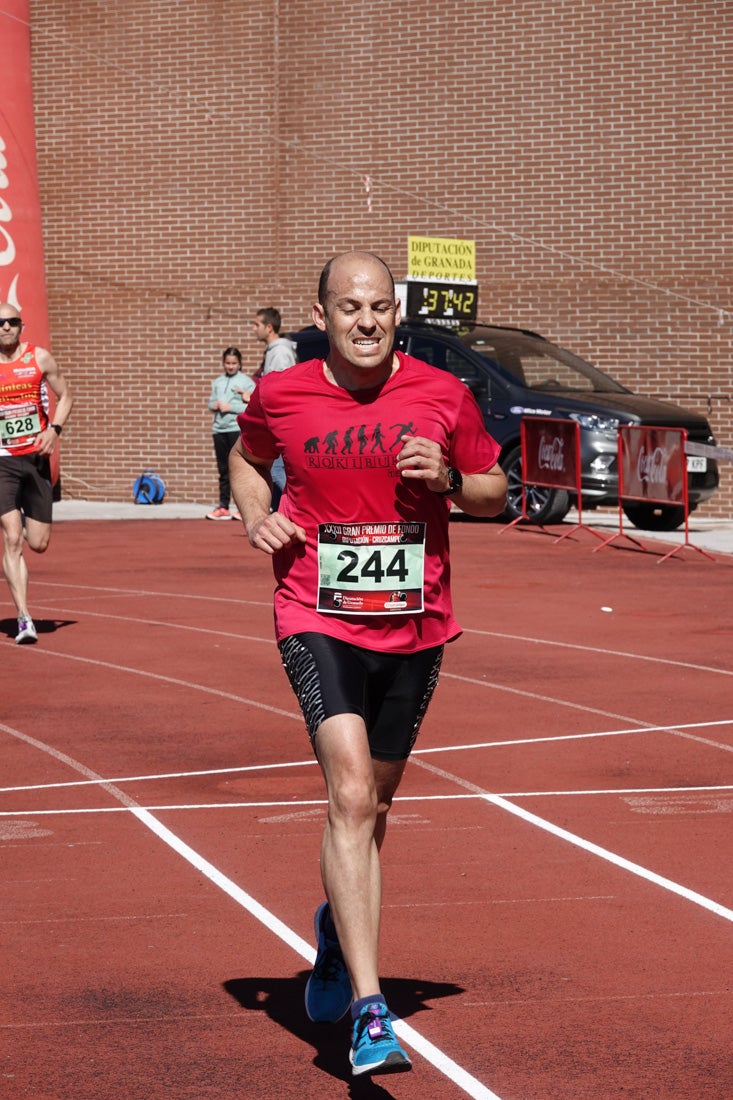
[371, 569]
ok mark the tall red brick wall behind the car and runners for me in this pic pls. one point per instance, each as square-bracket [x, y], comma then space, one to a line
[201, 160]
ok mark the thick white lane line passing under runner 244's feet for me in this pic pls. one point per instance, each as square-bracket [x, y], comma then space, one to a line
[432, 1054]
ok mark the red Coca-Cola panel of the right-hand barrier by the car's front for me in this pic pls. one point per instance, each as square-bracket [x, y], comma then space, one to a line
[652, 465]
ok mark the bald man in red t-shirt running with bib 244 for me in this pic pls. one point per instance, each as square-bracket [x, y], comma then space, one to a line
[376, 445]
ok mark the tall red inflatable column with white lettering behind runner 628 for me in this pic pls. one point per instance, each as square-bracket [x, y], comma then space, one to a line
[23, 269]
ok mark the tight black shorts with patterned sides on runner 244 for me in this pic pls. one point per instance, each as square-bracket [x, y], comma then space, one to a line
[390, 691]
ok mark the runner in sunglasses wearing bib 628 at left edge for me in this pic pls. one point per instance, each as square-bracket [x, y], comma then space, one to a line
[27, 439]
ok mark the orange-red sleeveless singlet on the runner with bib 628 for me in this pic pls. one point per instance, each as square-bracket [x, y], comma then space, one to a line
[24, 404]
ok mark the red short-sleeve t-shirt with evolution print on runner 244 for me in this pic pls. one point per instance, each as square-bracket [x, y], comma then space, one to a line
[375, 570]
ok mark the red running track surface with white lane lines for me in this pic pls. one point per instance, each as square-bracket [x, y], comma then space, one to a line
[559, 896]
